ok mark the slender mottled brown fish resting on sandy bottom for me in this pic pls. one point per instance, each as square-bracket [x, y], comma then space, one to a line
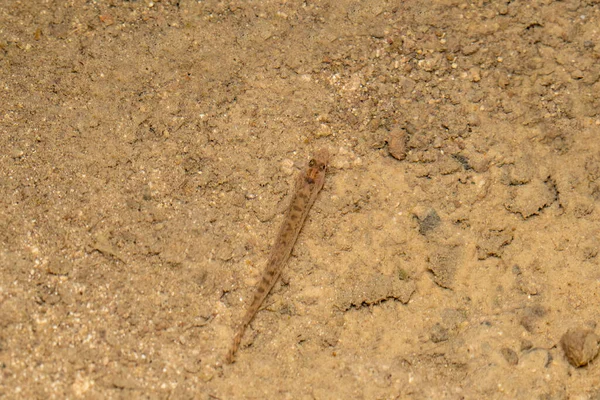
[308, 185]
